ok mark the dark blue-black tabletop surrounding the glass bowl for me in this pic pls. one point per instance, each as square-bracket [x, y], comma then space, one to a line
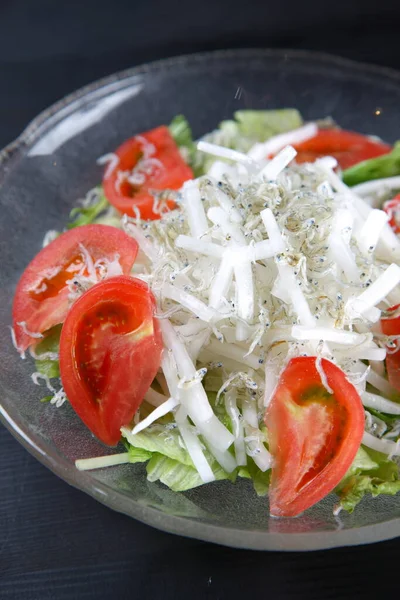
[55, 542]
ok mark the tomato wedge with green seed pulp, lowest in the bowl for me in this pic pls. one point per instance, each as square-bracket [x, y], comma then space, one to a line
[313, 435]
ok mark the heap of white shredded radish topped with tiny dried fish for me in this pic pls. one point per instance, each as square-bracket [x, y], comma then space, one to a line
[265, 260]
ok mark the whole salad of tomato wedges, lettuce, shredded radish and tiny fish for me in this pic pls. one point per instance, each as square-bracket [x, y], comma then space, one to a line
[231, 309]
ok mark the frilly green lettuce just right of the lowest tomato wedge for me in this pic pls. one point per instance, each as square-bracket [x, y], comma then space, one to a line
[371, 473]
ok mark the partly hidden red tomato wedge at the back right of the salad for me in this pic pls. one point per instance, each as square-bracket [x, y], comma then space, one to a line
[348, 147]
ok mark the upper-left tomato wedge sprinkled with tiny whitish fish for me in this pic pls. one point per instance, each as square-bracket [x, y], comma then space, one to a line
[156, 164]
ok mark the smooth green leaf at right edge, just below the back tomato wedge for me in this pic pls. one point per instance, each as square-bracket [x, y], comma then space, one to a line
[374, 168]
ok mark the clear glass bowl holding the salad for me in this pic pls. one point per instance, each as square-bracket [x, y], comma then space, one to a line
[54, 162]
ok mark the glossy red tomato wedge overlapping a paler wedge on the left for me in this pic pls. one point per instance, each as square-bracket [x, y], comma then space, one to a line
[110, 352]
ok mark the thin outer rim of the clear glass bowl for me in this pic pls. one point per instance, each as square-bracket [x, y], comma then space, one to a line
[238, 538]
